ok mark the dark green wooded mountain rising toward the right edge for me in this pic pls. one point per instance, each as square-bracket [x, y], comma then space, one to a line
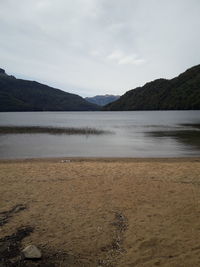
[180, 93]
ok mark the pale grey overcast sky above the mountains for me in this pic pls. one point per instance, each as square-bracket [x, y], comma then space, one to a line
[91, 47]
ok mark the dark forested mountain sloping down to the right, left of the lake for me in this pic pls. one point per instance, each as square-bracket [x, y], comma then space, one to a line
[23, 95]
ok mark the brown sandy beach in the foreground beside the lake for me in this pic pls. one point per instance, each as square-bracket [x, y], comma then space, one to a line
[105, 212]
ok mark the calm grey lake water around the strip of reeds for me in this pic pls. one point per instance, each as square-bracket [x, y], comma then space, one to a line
[134, 134]
